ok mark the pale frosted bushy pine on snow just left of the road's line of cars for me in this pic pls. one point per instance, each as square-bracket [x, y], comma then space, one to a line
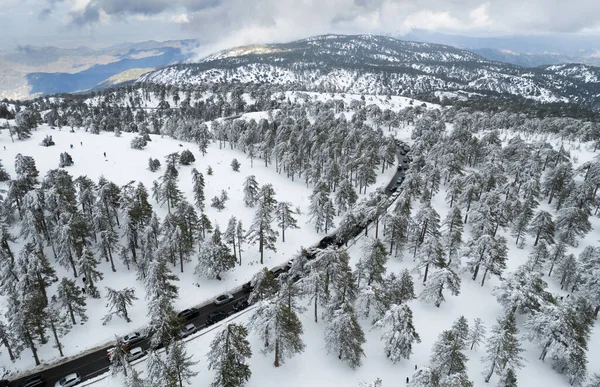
[214, 257]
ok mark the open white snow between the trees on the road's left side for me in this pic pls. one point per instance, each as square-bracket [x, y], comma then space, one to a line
[124, 164]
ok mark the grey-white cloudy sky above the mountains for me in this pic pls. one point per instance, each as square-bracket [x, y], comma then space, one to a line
[226, 23]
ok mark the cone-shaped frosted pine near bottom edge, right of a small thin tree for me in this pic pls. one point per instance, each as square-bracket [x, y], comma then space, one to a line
[503, 348]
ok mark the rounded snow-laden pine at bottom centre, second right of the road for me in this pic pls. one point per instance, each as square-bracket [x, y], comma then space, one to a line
[344, 336]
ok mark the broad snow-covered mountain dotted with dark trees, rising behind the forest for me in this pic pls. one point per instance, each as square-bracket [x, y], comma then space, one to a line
[384, 65]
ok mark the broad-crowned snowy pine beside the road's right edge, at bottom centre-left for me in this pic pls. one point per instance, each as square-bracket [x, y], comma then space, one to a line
[279, 328]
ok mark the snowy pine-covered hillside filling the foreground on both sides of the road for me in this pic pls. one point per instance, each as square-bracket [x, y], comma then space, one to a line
[481, 190]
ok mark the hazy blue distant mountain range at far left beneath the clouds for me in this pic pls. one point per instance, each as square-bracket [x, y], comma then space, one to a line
[32, 71]
